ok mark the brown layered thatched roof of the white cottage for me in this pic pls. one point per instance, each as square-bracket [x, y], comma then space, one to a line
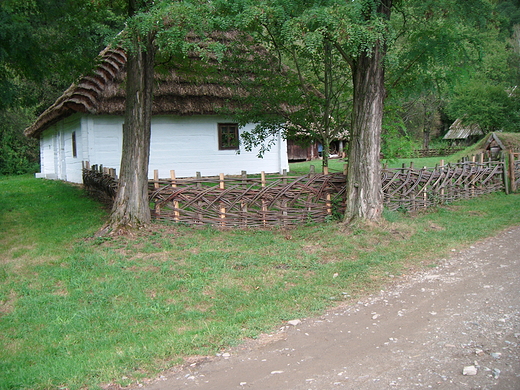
[192, 89]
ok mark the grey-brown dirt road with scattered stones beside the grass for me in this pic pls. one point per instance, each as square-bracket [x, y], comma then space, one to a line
[456, 326]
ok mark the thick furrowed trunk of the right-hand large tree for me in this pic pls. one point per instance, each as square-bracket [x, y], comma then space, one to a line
[364, 193]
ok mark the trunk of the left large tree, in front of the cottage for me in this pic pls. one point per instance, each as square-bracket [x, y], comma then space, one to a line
[131, 207]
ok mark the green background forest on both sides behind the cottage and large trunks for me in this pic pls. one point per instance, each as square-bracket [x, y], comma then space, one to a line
[469, 72]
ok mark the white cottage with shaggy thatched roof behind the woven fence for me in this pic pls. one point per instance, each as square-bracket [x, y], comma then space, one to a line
[189, 132]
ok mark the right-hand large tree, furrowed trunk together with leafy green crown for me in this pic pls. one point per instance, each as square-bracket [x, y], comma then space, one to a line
[396, 49]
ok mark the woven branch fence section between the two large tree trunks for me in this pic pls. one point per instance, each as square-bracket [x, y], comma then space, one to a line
[249, 201]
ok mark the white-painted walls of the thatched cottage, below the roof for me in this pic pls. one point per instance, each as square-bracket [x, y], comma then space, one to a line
[184, 144]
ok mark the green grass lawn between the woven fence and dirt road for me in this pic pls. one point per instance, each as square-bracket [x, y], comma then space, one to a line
[79, 312]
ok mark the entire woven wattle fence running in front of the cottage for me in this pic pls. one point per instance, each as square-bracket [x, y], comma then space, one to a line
[282, 200]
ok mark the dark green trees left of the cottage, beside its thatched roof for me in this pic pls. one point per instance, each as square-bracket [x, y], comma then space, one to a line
[44, 46]
